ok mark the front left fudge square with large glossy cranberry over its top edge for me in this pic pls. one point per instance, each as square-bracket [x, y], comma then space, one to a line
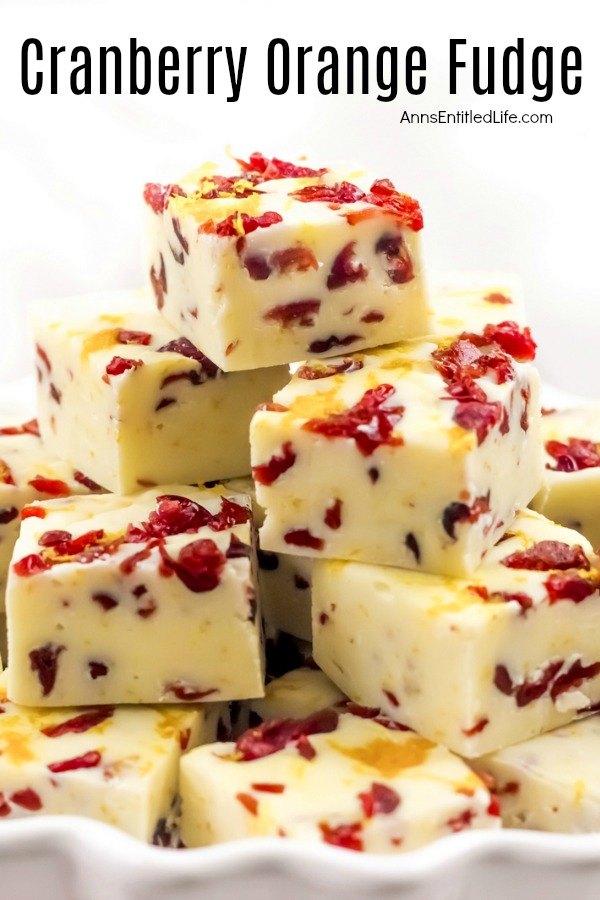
[146, 599]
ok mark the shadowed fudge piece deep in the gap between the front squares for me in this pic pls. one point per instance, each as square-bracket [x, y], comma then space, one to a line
[284, 580]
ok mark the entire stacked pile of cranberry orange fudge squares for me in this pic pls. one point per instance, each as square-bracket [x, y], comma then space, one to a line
[299, 553]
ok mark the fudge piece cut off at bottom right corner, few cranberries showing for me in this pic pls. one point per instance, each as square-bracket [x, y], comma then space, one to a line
[552, 782]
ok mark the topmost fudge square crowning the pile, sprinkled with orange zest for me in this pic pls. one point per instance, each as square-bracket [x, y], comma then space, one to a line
[272, 262]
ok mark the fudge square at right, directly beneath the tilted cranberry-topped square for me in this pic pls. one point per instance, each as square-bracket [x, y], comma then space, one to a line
[478, 663]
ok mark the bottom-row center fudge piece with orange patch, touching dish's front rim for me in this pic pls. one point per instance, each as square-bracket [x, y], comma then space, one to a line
[345, 777]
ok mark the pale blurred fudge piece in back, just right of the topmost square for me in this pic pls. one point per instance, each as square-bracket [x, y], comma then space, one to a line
[470, 301]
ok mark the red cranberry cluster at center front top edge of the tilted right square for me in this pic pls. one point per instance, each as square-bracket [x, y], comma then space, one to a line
[368, 423]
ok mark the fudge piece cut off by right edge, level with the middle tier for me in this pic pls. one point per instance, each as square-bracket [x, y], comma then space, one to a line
[570, 493]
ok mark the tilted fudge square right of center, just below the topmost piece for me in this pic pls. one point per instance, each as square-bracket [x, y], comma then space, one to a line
[415, 455]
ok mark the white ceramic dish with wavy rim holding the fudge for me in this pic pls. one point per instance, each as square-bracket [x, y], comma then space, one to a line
[71, 858]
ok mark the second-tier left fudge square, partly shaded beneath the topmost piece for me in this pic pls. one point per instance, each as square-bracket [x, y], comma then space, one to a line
[122, 396]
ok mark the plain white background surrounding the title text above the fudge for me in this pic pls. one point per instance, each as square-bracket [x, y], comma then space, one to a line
[520, 198]
